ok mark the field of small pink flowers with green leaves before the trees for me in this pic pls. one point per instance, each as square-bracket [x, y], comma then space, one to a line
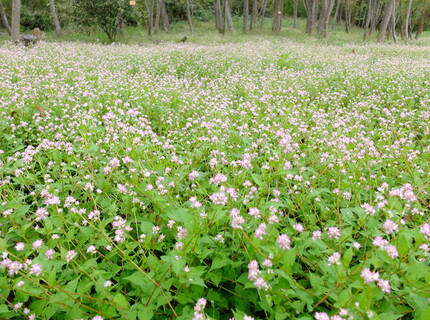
[254, 180]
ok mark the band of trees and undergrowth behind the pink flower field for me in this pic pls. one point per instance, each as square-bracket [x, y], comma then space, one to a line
[388, 19]
